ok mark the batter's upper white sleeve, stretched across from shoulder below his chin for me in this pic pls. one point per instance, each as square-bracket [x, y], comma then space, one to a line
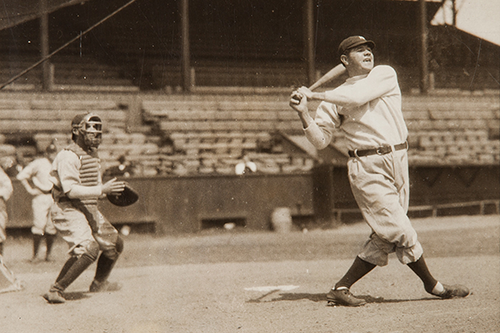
[380, 81]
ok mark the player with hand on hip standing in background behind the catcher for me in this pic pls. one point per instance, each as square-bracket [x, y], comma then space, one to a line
[35, 179]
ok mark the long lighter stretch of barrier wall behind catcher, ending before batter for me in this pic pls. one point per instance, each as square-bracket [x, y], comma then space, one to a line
[182, 204]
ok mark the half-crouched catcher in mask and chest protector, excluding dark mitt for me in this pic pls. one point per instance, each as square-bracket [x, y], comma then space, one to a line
[77, 187]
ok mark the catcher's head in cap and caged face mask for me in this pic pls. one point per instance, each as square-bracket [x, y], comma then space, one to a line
[89, 126]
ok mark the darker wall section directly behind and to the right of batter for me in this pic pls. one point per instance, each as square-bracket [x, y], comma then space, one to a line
[432, 185]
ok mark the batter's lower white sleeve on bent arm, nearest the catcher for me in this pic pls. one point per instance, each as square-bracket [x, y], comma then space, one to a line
[320, 132]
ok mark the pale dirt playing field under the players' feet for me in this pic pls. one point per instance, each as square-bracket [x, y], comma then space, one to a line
[266, 282]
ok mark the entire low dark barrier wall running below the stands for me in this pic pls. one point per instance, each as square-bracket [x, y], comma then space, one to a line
[187, 204]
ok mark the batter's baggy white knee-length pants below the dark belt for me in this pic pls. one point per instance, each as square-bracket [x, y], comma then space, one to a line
[380, 185]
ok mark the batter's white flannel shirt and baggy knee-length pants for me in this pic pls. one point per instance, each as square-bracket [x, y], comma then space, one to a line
[367, 109]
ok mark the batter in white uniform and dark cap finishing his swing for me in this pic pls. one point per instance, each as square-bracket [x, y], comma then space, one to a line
[367, 110]
